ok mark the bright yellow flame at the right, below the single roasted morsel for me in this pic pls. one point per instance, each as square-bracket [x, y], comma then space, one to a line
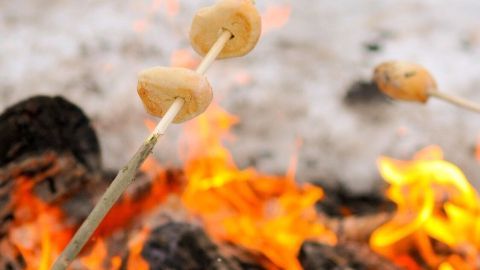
[436, 207]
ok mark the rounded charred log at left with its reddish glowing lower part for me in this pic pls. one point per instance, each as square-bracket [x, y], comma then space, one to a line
[49, 144]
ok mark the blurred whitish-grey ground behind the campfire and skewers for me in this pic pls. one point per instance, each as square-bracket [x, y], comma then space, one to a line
[305, 88]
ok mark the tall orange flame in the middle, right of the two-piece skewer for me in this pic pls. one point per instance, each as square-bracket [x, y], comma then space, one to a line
[266, 214]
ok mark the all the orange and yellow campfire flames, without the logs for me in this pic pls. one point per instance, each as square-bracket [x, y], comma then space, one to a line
[436, 224]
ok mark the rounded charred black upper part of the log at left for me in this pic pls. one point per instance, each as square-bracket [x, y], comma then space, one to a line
[43, 123]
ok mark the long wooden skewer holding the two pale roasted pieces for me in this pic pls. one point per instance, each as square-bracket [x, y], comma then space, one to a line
[127, 174]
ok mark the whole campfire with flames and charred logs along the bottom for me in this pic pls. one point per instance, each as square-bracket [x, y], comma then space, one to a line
[212, 215]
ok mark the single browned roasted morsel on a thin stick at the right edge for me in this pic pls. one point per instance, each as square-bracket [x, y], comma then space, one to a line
[412, 82]
